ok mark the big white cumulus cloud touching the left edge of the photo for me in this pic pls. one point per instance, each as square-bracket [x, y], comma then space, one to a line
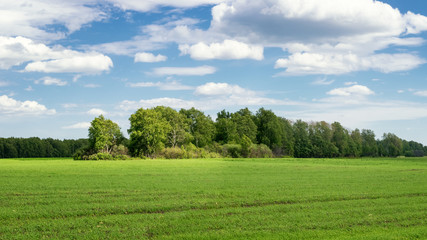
[15, 51]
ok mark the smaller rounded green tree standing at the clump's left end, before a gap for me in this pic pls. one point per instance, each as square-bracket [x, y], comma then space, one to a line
[104, 134]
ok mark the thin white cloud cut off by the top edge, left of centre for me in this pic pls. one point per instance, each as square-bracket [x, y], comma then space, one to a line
[147, 5]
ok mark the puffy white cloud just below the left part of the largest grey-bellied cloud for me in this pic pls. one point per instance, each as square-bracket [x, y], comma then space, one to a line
[229, 49]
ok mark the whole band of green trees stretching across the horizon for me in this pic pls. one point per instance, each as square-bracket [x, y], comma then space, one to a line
[163, 132]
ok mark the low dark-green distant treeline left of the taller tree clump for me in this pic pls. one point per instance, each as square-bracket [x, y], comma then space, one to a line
[36, 147]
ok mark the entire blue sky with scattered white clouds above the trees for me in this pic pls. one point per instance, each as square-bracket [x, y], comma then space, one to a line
[362, 63]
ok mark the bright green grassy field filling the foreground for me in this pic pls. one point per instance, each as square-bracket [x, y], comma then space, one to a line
[214, 199]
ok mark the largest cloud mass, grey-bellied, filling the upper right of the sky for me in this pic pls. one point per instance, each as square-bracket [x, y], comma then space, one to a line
[324, 37]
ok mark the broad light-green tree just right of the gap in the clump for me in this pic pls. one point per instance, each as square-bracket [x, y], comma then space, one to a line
[148, 132]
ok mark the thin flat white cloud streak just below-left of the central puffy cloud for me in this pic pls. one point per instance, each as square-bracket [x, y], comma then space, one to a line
[184, 71]
